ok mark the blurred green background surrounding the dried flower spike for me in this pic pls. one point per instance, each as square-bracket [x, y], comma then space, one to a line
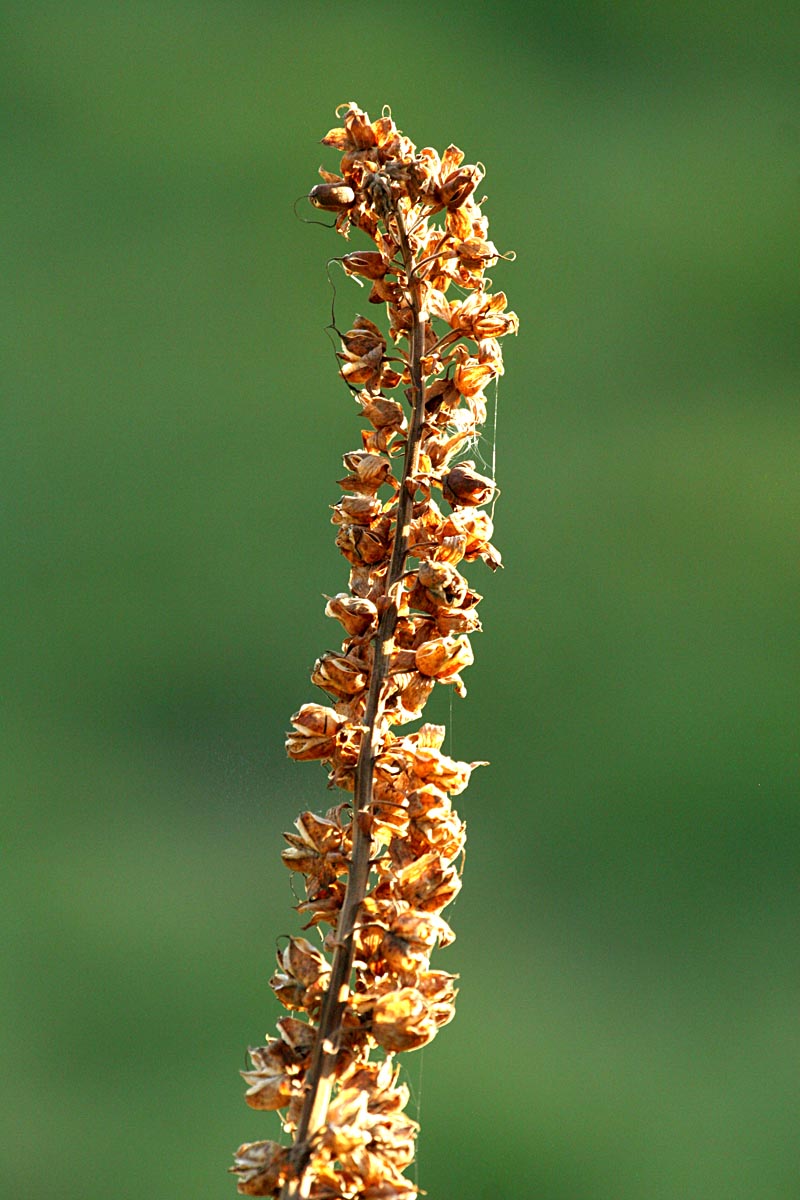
[173, 427]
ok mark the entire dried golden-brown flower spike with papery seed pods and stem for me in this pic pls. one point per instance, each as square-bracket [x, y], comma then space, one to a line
[381, 867]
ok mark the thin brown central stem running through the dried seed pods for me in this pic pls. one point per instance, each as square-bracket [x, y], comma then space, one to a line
[321, 1076]
